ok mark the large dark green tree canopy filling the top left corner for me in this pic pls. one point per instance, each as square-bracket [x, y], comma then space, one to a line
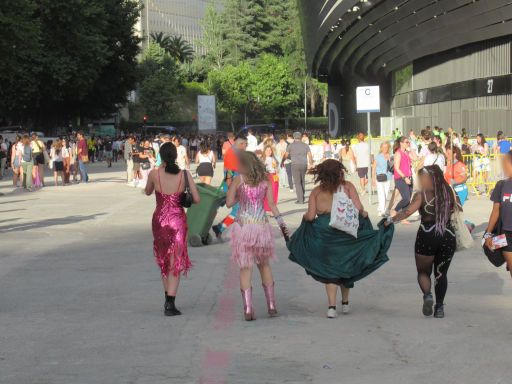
[65, 63]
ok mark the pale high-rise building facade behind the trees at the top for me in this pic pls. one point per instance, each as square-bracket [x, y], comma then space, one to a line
[176, 18]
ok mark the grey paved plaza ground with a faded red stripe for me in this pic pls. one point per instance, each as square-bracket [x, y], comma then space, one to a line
[81, 303]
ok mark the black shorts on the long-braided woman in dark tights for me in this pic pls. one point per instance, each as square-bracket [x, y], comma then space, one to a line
[429, 243]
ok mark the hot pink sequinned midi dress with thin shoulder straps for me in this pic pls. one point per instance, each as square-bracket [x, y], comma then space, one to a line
[170, 233]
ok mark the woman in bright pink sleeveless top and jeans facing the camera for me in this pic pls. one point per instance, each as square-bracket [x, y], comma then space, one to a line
[403, 173]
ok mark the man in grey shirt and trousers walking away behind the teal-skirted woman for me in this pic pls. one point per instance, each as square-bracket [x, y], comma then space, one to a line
[300, 155]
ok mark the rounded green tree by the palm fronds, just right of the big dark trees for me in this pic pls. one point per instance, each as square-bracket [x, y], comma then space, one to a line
[161, 82]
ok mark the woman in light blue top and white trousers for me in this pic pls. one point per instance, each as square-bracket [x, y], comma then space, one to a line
[382, 176]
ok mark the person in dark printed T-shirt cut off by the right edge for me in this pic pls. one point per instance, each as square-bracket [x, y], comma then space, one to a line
[502, 211]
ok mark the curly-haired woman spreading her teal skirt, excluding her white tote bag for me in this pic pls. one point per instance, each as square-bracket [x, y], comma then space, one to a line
[330, 256]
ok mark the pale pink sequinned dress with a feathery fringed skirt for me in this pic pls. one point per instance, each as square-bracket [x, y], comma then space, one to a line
[252, 241]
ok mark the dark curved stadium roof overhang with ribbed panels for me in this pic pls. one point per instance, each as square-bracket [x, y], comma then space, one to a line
[371, 38]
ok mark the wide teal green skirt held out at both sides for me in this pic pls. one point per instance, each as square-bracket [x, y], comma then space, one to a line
[334, 257]
